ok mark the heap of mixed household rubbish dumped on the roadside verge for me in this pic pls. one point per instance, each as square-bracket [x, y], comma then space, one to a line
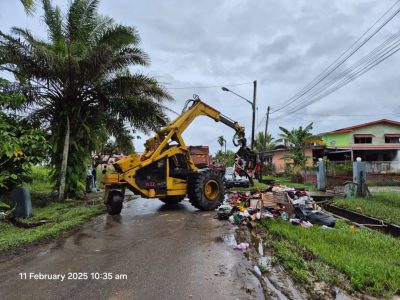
[290, 204]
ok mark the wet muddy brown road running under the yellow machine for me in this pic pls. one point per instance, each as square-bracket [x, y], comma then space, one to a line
[165, 253]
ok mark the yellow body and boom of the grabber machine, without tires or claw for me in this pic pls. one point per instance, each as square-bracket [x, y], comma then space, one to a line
[163, 169]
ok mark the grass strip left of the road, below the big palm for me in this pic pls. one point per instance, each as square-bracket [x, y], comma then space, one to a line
[60, 217]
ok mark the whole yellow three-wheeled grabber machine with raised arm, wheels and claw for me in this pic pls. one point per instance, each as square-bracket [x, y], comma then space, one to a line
[166, 170]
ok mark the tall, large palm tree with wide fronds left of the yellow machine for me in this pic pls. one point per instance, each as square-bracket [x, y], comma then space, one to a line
[79, 85]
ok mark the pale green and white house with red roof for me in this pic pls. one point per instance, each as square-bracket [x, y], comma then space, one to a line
[372, 141]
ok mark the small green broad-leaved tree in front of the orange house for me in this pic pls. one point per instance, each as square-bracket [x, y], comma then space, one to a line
[295, 140]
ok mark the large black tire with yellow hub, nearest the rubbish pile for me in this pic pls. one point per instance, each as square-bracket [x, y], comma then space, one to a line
[200, 183]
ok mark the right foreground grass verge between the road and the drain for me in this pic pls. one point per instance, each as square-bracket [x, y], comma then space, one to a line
[370, 260]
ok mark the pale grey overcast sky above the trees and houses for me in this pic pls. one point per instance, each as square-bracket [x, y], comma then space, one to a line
[283, 44]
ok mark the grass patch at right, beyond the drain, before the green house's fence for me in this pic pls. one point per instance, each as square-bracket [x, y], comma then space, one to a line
[385, 206]
